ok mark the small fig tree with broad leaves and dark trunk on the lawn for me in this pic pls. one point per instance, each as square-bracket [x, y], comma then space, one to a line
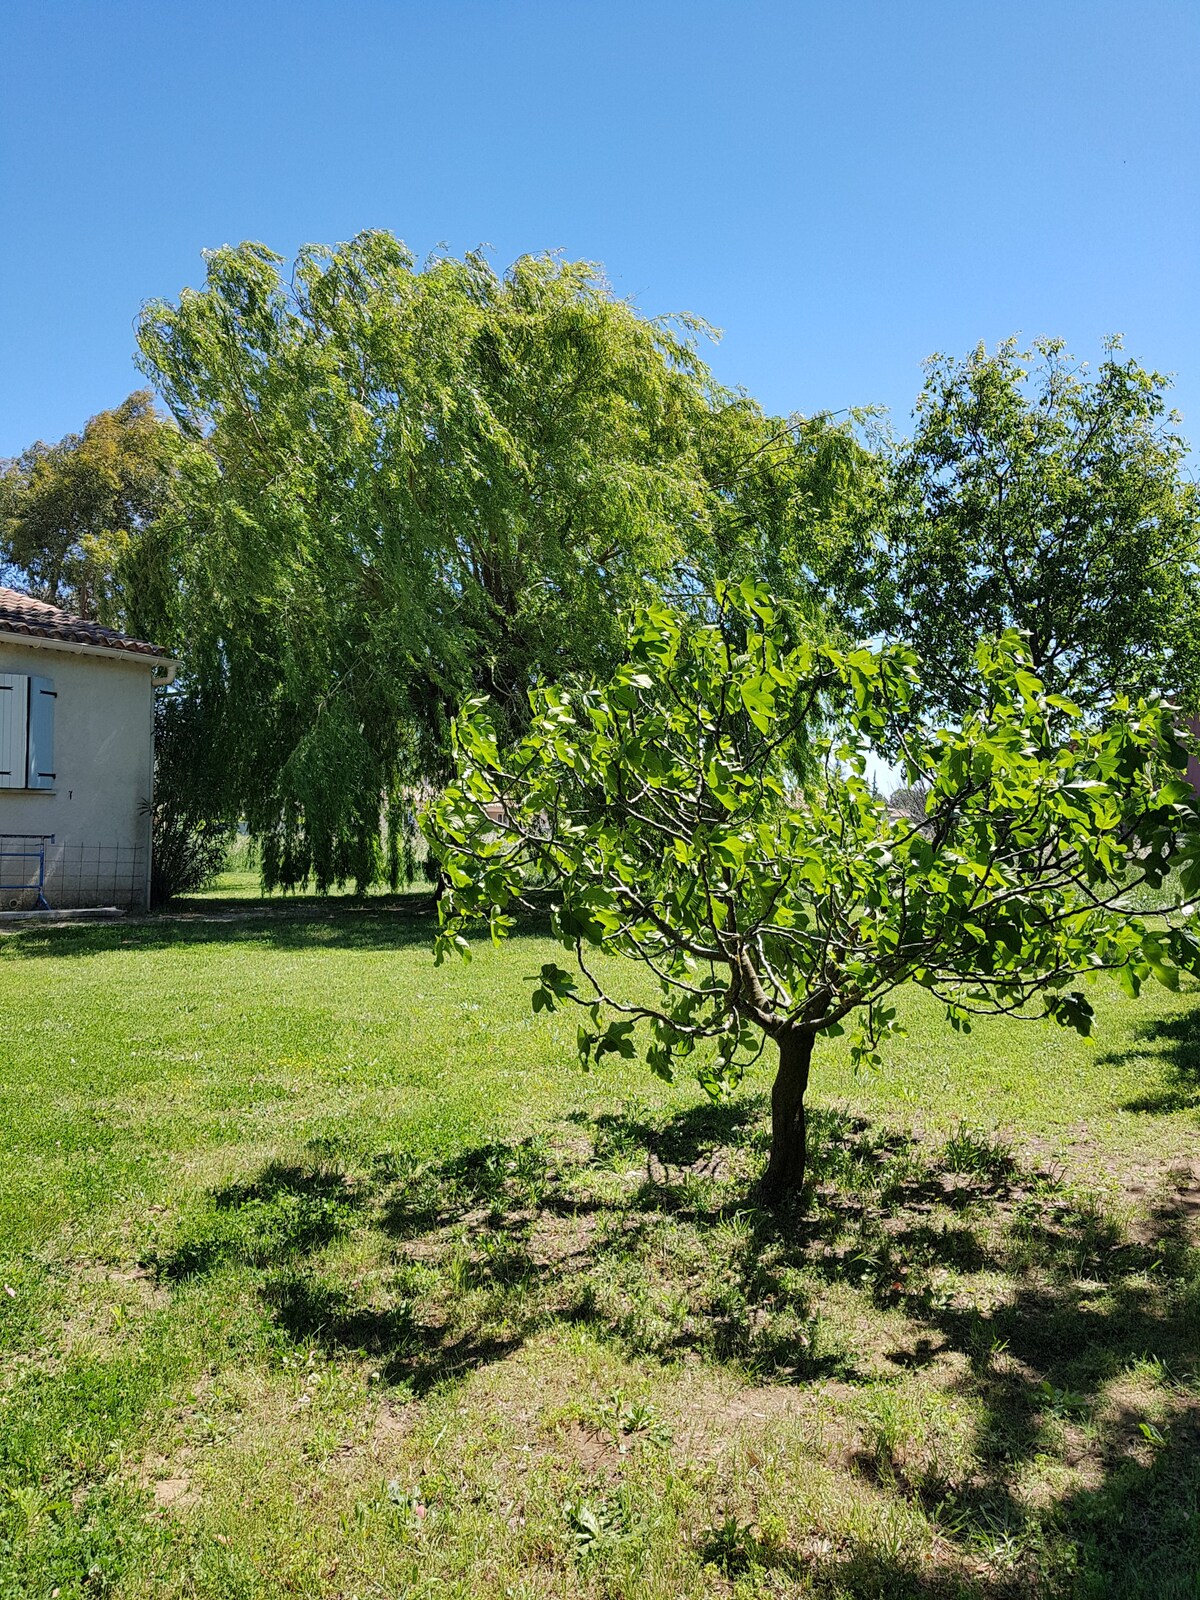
[660, 814]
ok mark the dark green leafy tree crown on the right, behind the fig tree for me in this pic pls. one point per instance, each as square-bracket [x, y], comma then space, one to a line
[1038, 497]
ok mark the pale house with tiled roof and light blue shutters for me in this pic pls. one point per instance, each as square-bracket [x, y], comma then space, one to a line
[76, 759]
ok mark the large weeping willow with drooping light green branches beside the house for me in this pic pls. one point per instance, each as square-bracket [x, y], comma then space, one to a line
[401, 486]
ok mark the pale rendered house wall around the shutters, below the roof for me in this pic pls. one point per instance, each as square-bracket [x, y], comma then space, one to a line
[103, 766]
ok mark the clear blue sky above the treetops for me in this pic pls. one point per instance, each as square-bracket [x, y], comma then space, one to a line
[844, 186]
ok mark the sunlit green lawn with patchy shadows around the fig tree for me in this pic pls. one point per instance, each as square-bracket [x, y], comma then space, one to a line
[326, 1273]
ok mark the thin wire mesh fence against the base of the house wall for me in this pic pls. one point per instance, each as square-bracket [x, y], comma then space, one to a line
[102, 874]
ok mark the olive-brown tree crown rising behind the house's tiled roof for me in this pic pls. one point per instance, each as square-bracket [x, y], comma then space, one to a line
[74, 514]
